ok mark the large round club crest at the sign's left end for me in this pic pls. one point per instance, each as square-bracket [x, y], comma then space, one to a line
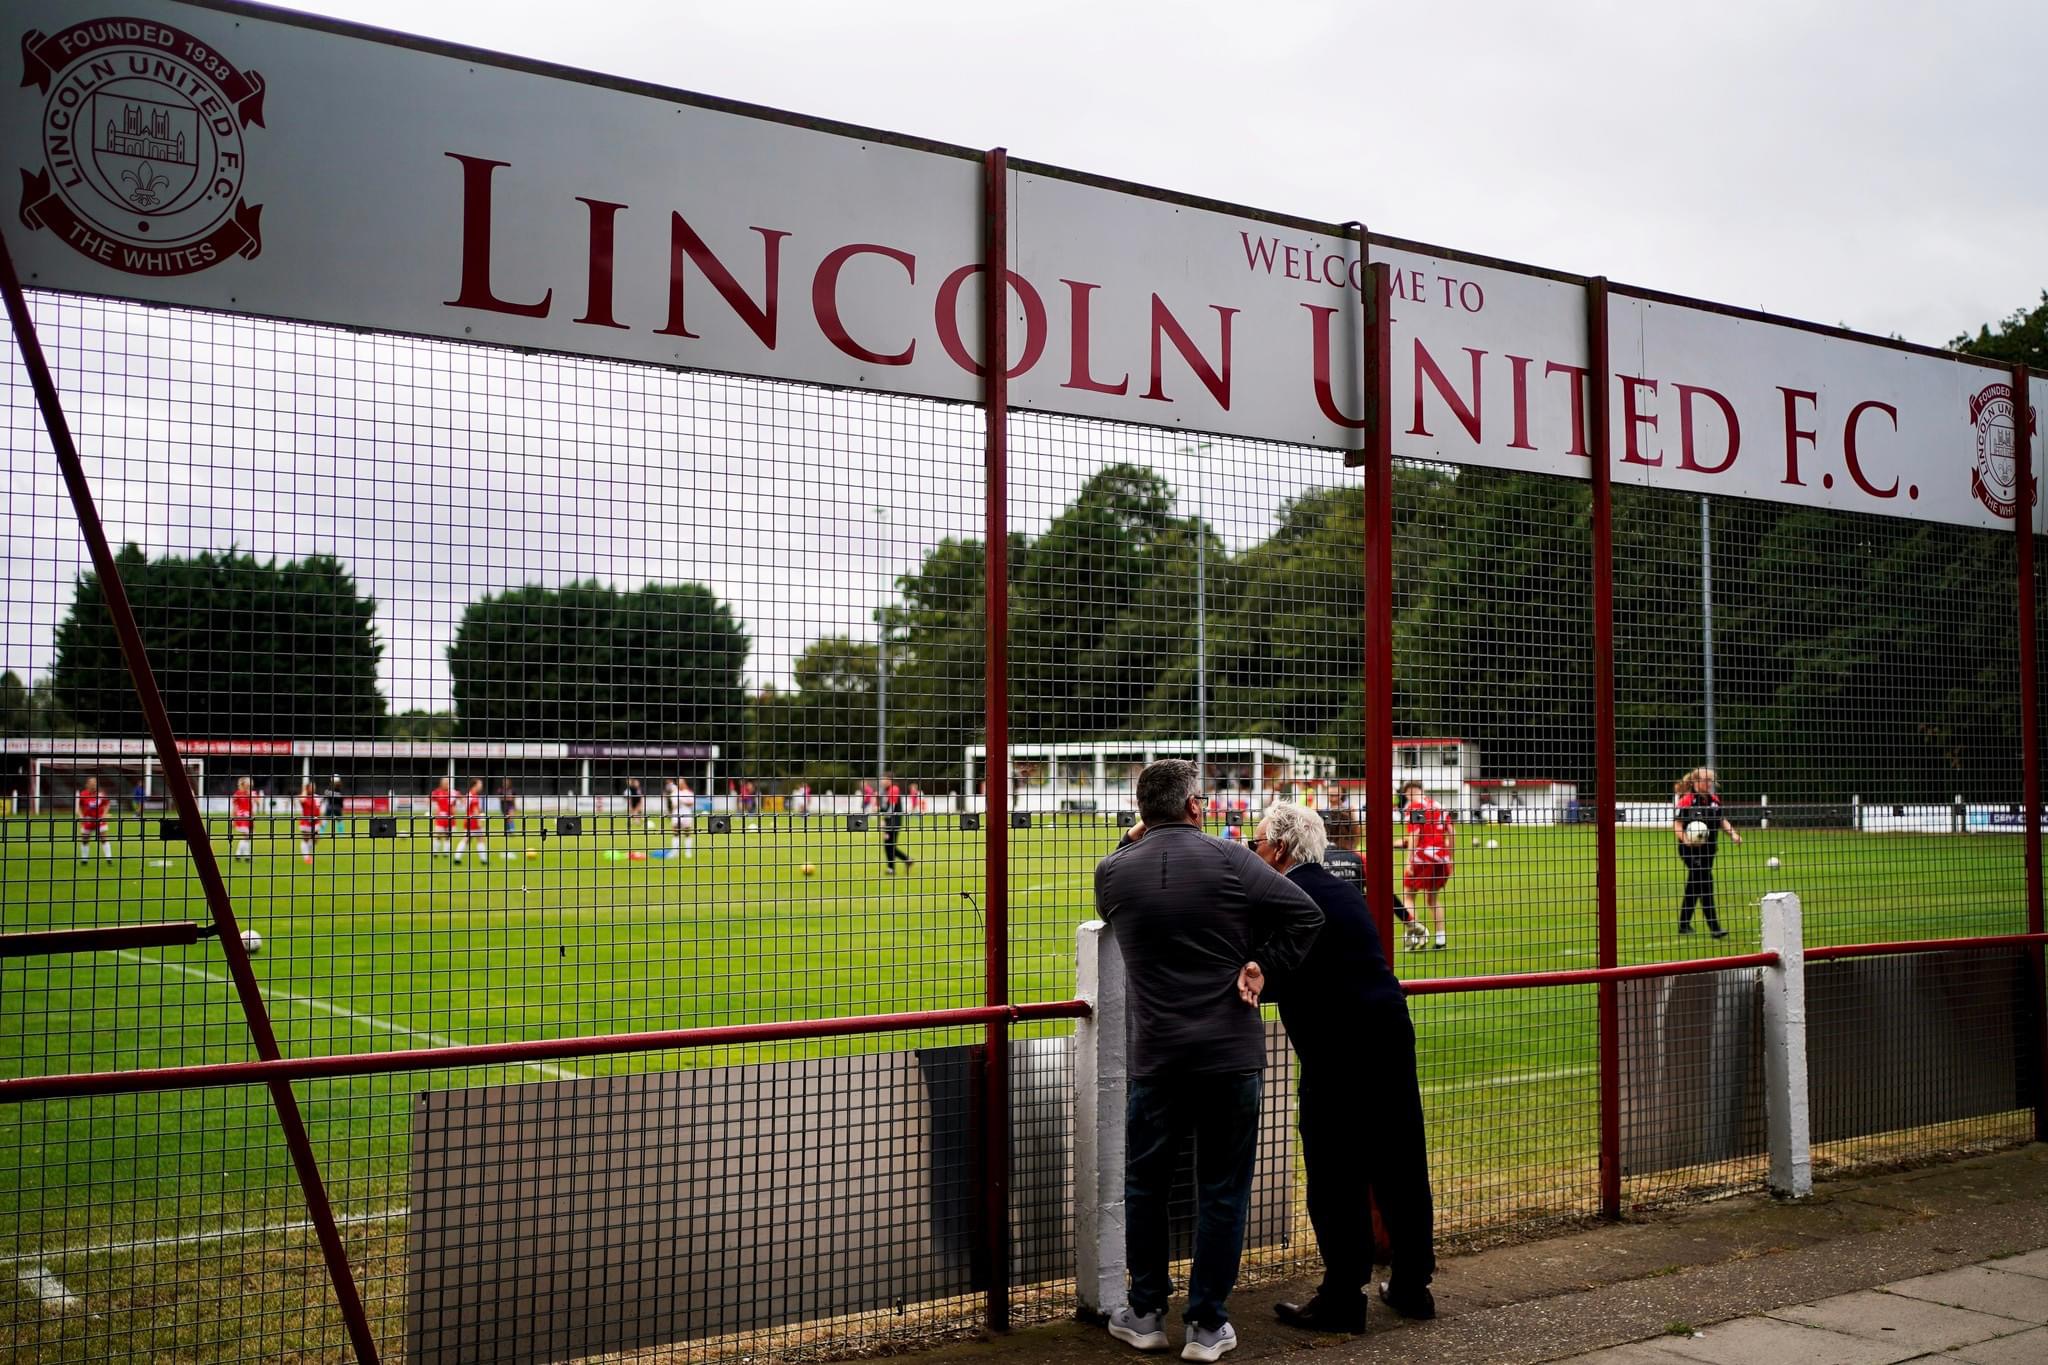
[142, 146]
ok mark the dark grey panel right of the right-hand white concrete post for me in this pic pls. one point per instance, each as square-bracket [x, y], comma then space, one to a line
[1910, 1041]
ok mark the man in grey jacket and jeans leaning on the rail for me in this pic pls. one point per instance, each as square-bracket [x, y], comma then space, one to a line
[1189, 914]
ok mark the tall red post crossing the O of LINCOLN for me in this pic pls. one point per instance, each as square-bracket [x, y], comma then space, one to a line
[996, 701]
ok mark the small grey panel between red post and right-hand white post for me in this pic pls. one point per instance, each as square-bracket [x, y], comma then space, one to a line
[1693, 1071]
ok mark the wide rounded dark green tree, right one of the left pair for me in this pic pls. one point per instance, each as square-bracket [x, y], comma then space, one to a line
[660, 664]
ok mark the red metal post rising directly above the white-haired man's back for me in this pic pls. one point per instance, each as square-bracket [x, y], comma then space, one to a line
[1379, 711]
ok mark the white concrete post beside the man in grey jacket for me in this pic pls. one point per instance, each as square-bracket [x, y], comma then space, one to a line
[1101, 1082]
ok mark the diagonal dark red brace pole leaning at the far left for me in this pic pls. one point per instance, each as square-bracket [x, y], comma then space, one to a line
[181, 791]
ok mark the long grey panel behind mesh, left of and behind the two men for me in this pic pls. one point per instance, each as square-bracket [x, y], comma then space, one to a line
[564, 1219]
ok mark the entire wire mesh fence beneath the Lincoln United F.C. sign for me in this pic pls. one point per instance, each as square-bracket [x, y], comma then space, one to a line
[538, 699]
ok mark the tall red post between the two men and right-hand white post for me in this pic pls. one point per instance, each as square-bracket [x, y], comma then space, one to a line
[1605, 758]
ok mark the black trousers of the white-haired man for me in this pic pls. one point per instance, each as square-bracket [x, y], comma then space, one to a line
[1363, 1137]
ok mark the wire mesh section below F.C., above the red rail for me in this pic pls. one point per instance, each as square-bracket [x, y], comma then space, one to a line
[1865, 693]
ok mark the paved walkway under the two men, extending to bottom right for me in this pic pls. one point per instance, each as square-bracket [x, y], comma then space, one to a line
[1938, 1264]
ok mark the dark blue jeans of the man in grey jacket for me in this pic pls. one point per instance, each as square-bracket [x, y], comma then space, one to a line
[1222, 1112]
